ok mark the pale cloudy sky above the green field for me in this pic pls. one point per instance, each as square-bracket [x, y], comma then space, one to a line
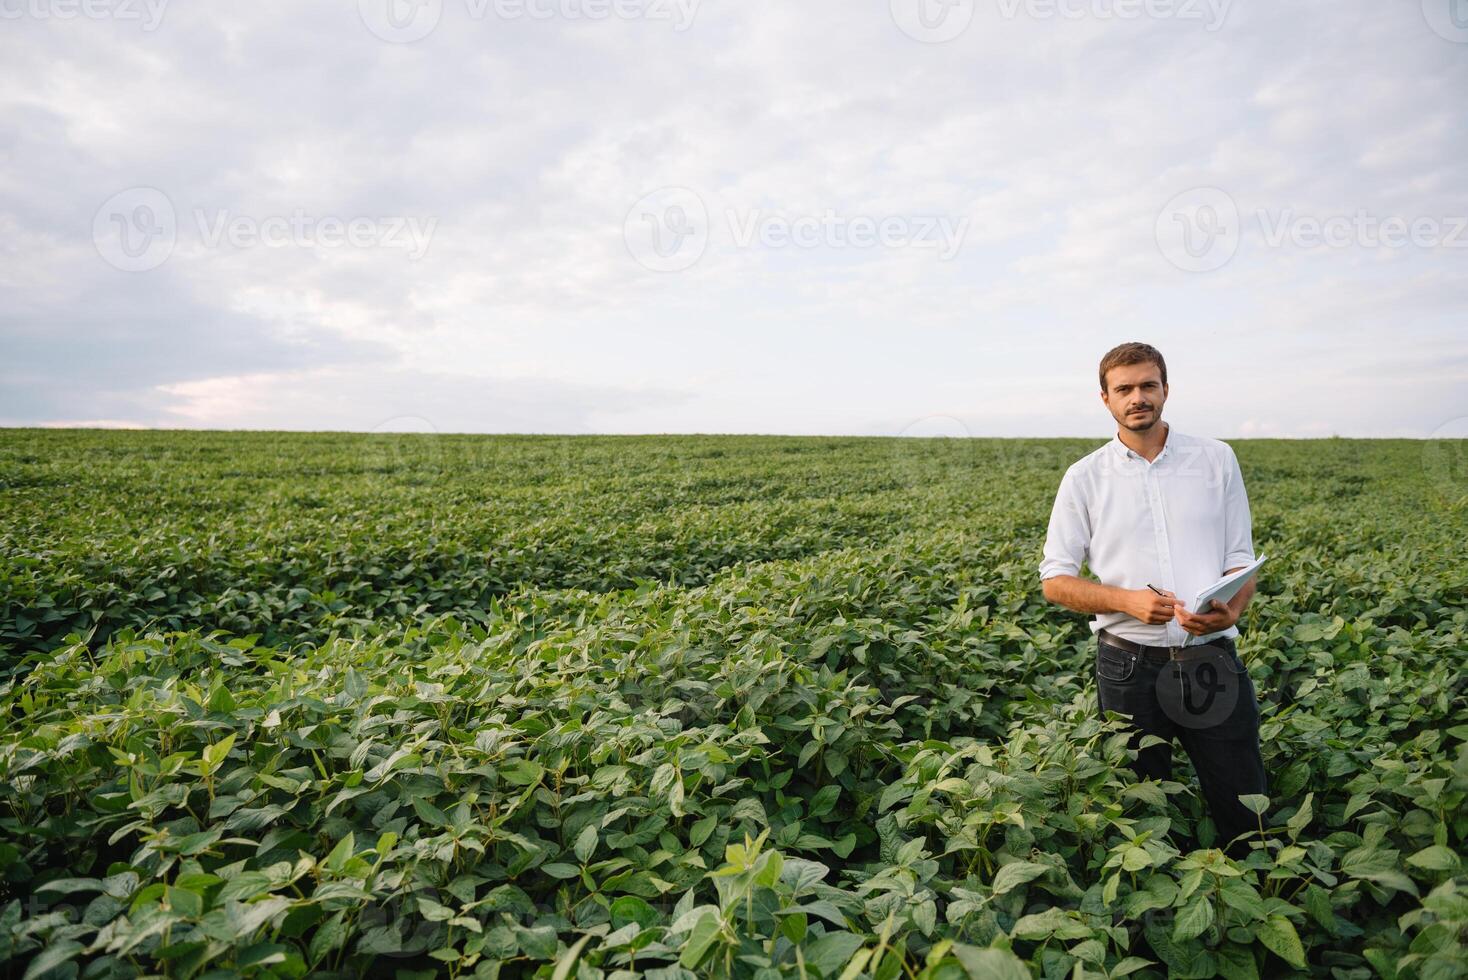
[817, 216]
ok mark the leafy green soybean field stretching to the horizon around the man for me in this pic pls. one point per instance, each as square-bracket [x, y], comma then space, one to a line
[695, 706]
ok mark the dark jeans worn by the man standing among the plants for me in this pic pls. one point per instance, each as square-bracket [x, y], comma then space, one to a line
[1210, 706]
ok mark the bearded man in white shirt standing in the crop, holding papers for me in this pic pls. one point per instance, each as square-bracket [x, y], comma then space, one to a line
[1156, 508]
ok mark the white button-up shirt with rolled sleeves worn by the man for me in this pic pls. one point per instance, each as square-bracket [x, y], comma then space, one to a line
[1178, 523]
